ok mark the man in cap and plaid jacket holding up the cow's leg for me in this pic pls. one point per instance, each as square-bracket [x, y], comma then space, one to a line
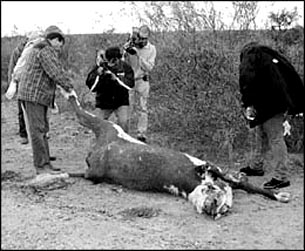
[36, 90]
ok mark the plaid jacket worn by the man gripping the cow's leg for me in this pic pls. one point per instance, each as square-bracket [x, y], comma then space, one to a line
[42, 72]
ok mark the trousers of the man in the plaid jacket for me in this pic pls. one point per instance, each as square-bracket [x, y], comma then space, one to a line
[38, 126]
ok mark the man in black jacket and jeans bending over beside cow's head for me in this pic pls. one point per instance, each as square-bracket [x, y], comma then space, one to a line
[270, 88]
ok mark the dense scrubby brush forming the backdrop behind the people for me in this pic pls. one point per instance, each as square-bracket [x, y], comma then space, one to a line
[194, 99]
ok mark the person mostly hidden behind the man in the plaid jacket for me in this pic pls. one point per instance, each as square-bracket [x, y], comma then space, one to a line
[13, 61]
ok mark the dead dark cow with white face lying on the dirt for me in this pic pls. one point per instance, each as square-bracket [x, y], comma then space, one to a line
[118, 158]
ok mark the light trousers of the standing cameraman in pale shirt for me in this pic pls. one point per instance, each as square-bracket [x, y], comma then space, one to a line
[138, 98]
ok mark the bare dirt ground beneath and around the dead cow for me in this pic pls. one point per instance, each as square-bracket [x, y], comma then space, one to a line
[103, 216]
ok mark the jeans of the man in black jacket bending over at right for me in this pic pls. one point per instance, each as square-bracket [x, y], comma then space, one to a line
[271, 150]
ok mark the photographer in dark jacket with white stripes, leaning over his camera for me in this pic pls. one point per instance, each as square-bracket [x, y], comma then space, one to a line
[111, 96]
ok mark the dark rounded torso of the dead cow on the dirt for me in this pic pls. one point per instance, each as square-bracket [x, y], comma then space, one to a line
[143, 167]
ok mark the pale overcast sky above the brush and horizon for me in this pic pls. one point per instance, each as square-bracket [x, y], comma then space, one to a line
[79, 17]
